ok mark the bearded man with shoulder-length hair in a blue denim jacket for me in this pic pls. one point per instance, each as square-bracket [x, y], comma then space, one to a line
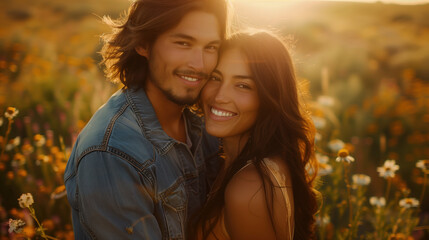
[141, 166]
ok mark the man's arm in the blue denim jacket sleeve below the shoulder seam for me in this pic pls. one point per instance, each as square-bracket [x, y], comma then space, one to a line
[114, 200]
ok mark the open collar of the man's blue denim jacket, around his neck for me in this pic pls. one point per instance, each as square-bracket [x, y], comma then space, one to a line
[150, 125]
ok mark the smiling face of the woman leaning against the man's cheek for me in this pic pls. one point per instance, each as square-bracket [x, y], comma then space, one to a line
[230, 98]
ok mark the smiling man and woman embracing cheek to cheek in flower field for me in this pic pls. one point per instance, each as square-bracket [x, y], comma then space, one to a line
[207, 140]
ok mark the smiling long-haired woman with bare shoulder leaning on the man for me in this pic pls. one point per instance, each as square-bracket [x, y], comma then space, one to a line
[251, 102]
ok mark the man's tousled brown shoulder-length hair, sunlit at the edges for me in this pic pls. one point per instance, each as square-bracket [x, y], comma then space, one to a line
[141, 26]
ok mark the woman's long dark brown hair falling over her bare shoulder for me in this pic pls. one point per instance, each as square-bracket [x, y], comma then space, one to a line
[283, 129]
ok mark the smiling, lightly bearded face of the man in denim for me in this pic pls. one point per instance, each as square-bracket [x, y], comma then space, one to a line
[182, 58]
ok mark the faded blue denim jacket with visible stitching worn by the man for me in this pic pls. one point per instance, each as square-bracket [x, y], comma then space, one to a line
[127, 179]
